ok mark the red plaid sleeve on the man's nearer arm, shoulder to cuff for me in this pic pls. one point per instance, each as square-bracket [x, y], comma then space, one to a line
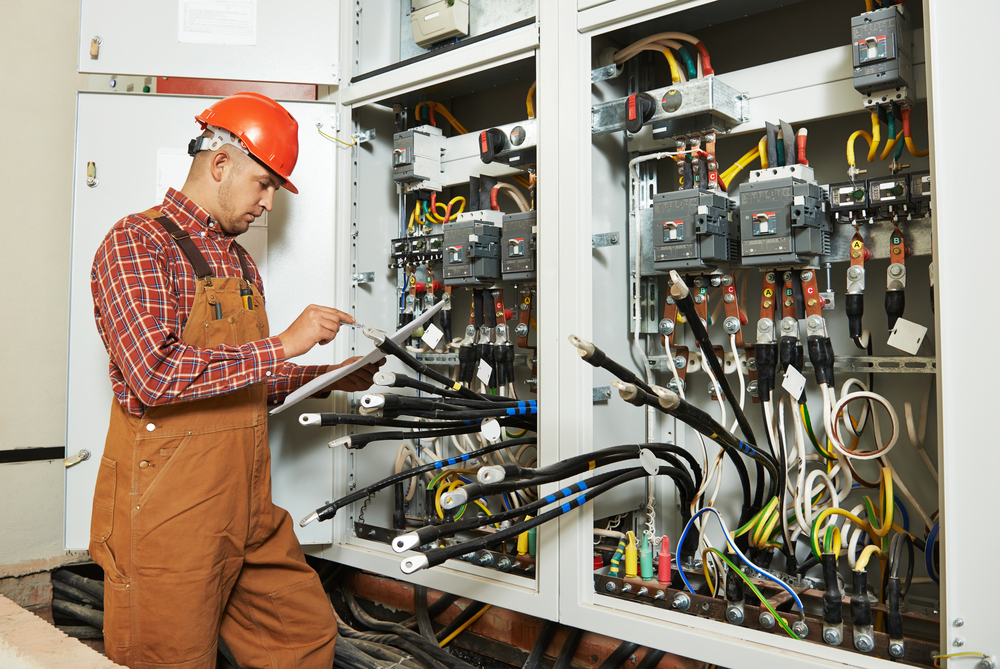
[134, 302]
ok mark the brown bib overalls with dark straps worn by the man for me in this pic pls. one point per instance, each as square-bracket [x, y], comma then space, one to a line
[183, 523]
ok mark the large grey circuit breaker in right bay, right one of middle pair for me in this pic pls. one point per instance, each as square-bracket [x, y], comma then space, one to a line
[783, 218]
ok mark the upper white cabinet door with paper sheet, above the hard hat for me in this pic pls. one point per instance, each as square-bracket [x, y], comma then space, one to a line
[274, 40]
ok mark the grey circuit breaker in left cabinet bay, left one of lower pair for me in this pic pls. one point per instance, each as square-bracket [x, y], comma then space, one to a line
[472, 249]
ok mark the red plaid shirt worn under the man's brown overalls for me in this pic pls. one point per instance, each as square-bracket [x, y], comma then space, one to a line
[144, 288]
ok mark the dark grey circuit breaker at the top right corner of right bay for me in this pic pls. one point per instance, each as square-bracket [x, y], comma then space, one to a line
[882, 44]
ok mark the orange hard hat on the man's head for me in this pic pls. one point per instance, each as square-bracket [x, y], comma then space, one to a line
[270, 133]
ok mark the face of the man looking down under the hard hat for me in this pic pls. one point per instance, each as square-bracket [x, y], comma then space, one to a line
[245, 192]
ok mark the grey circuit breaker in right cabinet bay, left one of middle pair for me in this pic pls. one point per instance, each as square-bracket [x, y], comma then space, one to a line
[693, 229]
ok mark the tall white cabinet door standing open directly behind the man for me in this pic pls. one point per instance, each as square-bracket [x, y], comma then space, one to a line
[127, 138]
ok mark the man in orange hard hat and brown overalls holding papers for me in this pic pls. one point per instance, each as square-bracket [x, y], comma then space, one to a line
[183, 524]
